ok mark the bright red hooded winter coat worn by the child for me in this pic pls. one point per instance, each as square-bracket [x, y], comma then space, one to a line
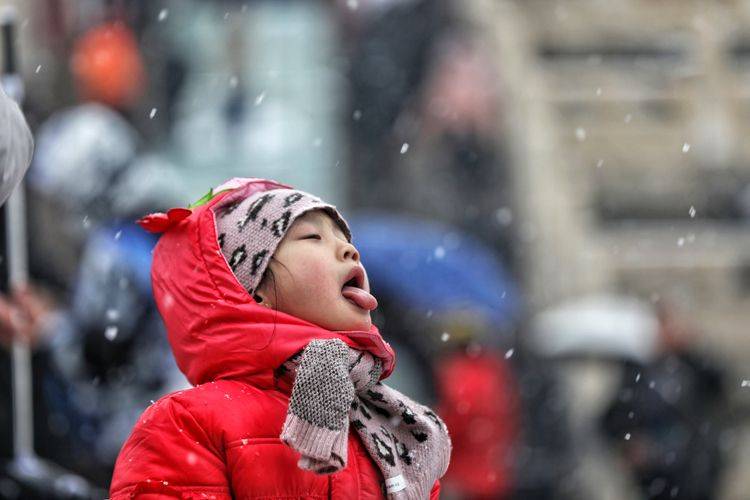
[220, 439]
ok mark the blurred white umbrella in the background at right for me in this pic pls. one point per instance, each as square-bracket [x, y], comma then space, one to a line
[599, 325]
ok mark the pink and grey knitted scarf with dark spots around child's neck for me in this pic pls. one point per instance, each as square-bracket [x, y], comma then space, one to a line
[335, 386]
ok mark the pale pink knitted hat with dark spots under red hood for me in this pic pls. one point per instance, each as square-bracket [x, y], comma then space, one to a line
[251, 228]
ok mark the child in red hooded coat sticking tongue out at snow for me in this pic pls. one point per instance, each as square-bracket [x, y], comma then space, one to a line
[267, 308]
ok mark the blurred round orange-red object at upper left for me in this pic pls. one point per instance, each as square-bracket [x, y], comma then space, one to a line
[107, 65]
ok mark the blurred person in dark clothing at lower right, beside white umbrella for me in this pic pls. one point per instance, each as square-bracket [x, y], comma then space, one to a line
[664, 418]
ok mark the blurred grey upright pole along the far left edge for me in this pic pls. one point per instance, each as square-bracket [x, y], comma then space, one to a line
[15, 223]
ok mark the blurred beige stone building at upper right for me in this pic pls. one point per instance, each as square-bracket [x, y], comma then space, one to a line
[628, 122]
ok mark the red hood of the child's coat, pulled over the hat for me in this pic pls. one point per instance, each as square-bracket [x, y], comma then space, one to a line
[217, 331]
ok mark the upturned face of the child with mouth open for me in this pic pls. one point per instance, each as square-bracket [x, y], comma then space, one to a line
[310, 267]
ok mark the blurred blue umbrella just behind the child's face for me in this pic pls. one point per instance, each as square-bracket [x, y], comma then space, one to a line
[430, 266]
